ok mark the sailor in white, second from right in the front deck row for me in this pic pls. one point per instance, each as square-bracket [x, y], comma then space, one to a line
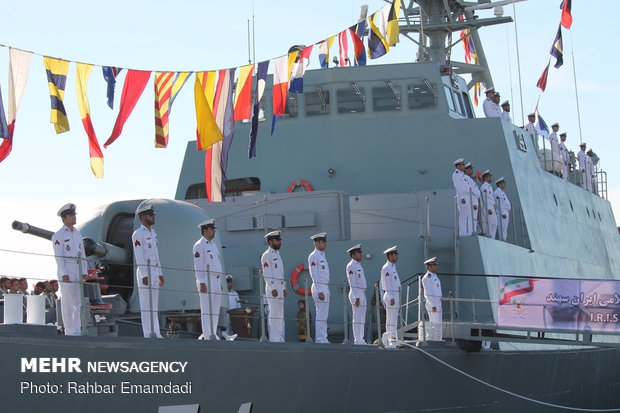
[390, 286]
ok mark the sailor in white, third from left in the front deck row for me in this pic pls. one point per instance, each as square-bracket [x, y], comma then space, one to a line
[209, 284]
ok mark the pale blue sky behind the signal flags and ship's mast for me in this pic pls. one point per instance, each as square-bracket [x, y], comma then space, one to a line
[46, 170]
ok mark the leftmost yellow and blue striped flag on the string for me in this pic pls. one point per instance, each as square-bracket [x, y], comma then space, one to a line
[57, 70]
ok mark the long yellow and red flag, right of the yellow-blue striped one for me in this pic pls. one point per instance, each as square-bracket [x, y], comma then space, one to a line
[82, 73]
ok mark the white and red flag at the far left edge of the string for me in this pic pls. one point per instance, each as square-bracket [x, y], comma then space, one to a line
[19, 63]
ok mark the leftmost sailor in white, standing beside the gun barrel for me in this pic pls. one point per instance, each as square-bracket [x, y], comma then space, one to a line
[67, 242]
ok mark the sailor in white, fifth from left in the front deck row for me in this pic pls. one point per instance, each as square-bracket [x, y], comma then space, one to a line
[319, 272]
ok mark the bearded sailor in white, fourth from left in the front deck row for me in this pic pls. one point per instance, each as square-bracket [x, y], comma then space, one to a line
[275, 287]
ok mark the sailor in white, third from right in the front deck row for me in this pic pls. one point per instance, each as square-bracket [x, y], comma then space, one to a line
[357, 292]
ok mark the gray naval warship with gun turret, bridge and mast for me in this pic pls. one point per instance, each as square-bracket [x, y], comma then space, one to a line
[366, 155]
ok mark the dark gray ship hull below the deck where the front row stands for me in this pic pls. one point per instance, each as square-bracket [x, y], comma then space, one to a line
[221, 376]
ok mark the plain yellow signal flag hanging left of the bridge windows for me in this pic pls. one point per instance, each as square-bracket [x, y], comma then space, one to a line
[207, 131]
